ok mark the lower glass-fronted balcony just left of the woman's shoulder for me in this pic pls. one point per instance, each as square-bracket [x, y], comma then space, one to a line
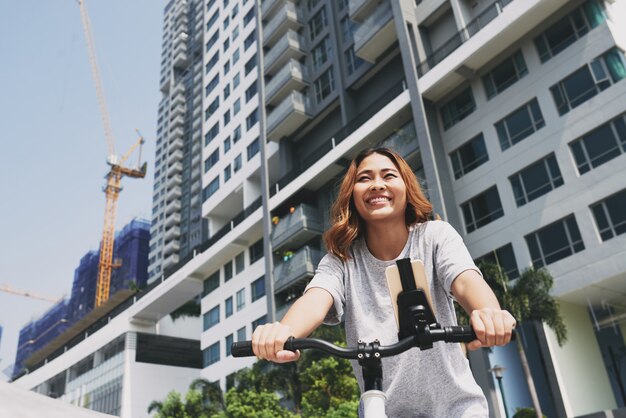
[299, 267]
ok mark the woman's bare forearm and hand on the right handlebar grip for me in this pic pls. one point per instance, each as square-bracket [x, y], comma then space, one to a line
[493, 326]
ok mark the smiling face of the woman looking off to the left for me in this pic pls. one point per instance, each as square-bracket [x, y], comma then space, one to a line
[379, 193]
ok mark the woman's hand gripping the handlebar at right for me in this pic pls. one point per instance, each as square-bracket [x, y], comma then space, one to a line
[492, 327]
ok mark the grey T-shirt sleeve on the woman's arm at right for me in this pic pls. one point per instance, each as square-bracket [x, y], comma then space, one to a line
[451, 256]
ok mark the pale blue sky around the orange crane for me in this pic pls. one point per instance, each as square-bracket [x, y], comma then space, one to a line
[53, 148]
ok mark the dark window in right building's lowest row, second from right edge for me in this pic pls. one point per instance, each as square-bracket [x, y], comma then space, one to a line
[553, 242]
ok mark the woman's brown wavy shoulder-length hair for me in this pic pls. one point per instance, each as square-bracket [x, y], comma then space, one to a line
[347, 224]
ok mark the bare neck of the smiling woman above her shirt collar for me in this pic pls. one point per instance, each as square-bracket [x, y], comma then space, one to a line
[386, 241]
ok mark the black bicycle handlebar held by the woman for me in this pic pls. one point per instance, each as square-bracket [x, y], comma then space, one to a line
[451, 334]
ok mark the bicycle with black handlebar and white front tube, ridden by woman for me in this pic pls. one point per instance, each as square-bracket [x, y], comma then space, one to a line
[417, 328]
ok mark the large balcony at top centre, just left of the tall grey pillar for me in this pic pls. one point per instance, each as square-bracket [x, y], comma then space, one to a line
[375, 34]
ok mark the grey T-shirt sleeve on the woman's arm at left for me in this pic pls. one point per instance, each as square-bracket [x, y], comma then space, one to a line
[329, 276]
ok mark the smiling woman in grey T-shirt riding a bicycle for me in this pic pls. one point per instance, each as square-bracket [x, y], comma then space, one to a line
[381, 215]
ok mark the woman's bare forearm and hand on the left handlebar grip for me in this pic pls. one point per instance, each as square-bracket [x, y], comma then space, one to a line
[306, 314]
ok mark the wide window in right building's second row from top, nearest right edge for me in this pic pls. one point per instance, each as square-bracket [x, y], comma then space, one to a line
[589, 80]
